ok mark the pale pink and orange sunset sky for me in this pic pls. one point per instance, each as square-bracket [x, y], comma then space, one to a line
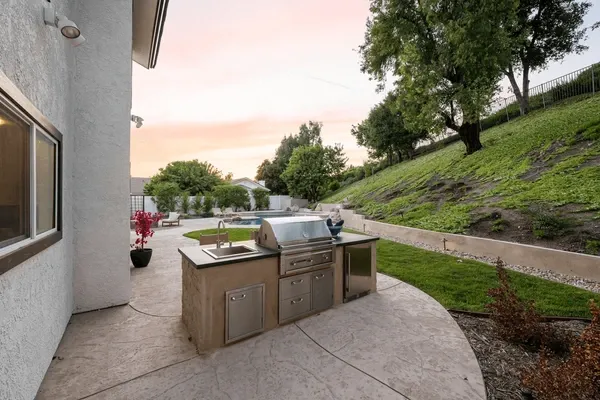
[233, 77]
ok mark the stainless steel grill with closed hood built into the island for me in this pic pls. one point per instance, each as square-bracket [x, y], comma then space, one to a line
[305, 243]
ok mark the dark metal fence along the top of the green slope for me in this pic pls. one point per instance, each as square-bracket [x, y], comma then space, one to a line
[583, 82]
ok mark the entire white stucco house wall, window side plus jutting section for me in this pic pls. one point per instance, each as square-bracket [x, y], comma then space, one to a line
[86, 93]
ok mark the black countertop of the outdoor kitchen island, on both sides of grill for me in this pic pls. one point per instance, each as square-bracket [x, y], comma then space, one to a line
[200, 259]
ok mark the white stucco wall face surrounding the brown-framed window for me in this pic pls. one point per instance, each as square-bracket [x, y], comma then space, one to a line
[36, 297]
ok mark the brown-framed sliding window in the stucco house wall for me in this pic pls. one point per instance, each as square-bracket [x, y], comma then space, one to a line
[29, 184]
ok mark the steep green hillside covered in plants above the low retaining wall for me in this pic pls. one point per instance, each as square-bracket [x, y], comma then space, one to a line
[404, 194]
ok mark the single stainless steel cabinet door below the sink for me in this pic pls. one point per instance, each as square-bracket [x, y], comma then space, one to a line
[244, 312]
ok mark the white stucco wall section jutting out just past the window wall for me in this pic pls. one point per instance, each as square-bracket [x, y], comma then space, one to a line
[102, 111]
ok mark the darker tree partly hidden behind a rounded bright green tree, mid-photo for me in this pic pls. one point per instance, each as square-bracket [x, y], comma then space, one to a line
[270, 172]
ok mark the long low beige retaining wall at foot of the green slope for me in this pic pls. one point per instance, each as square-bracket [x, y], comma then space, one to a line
[564, 262]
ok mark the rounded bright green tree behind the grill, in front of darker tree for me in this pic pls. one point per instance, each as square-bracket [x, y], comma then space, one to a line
[310, 170]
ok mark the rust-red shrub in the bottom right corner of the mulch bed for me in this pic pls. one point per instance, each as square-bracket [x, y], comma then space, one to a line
[577, 377]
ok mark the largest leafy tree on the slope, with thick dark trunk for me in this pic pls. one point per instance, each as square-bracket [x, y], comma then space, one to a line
[446, 56]
